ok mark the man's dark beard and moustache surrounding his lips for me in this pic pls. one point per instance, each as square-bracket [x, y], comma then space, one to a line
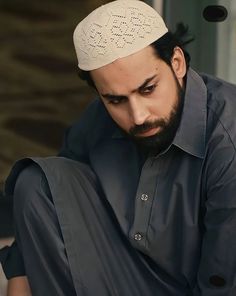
[168, 127]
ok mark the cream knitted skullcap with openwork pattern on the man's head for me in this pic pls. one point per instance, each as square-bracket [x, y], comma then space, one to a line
[116, 30]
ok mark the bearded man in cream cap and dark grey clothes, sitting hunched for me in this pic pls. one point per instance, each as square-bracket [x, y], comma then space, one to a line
[146, 203]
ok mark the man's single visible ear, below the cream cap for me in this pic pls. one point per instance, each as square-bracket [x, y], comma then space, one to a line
[178, 63]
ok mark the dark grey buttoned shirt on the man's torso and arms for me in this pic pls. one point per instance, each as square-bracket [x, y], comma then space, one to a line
[179, 207]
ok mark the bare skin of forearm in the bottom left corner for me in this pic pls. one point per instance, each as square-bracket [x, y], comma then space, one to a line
[18, 286]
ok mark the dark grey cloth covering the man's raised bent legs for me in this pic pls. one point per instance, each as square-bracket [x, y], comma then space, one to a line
[70, 240]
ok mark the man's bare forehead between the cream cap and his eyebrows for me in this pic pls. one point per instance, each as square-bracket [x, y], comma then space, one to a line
[128, 72]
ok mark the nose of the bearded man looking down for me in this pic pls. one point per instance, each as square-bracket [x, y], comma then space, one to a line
[138, 111]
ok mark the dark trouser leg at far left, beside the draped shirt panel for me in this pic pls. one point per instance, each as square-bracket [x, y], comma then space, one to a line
[39, 237]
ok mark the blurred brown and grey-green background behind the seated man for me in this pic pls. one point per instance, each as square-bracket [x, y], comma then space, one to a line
[40, 92]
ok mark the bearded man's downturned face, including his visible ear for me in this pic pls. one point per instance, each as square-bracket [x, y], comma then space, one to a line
[143, 94]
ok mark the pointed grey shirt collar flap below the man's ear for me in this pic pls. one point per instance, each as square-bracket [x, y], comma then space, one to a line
[190, 136]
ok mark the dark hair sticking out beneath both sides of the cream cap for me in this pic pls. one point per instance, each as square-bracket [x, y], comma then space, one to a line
[164, 48]
